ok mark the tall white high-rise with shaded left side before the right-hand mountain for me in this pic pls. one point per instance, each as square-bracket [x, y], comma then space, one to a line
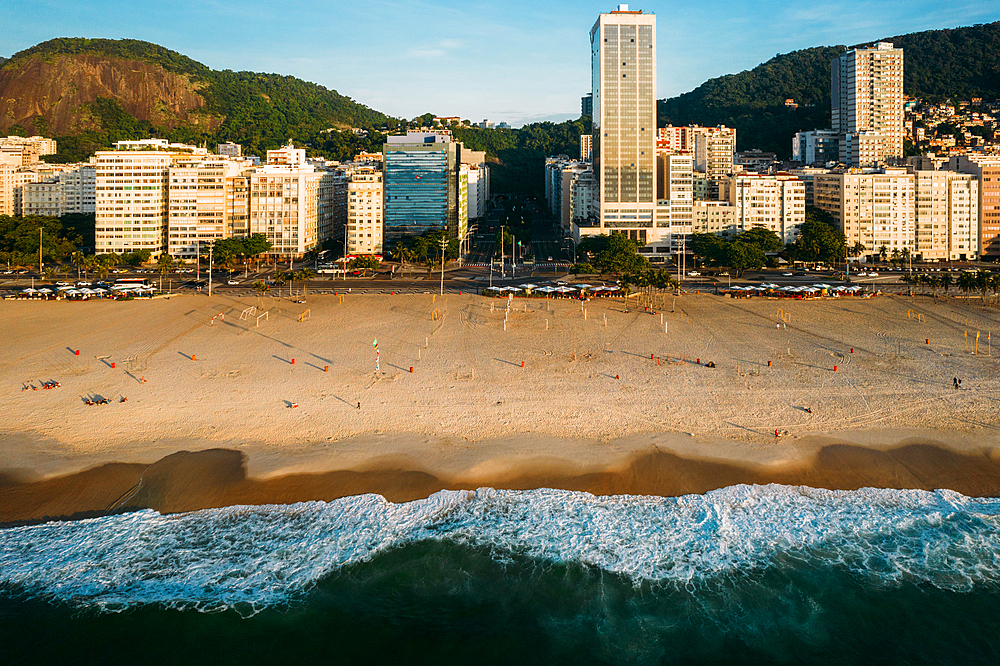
[867, 105]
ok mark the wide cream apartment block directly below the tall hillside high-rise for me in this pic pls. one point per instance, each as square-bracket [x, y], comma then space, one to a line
[873, 208]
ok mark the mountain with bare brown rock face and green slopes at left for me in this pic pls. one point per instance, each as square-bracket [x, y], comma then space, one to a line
[89, 92]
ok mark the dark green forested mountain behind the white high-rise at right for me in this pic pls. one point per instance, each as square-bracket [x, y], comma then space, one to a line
[938, 64]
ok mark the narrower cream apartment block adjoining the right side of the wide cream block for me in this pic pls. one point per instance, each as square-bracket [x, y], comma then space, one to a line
[947, 215]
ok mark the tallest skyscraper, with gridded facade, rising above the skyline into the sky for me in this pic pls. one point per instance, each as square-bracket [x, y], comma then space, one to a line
[623, 61]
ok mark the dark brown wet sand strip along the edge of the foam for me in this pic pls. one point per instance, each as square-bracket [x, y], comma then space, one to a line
[188, 481]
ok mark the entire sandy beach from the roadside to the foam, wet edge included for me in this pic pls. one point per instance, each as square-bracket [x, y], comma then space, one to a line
[601, 392]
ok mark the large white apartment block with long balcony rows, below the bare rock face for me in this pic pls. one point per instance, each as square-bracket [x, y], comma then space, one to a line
[131, 194]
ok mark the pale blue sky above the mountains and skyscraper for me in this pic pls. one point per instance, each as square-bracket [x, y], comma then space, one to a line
[517, 61]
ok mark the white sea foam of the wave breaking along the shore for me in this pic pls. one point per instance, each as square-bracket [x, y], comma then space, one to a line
[254, 557]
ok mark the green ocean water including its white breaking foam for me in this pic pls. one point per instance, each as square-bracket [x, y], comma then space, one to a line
[743, 575]
